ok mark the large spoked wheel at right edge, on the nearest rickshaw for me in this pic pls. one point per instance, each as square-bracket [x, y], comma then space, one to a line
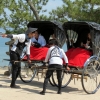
[91, 76]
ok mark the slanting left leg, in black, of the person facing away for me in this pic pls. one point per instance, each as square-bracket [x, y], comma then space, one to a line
[48, 75]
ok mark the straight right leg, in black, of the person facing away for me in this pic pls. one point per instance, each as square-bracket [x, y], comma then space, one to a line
[59, 73]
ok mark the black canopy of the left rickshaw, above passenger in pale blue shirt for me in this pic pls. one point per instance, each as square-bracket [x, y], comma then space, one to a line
[47, 28]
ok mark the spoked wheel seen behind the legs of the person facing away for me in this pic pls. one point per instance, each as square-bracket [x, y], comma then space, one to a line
[66, 78]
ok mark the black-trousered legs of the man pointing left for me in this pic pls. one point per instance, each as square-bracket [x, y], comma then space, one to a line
[15, 66]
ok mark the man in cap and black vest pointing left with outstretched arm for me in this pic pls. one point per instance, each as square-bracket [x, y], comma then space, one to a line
[21, 40]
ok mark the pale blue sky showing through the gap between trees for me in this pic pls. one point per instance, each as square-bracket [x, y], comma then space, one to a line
[52, 4]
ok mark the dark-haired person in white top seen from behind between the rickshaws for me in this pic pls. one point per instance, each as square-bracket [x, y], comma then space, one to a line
[54, 56]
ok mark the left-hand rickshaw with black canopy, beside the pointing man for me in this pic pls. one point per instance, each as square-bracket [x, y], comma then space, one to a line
[46, 28]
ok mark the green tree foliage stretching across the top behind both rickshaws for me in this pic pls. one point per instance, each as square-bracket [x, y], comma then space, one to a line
[16, 14]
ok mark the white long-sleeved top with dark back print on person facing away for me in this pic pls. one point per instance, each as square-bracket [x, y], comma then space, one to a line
[55, 55]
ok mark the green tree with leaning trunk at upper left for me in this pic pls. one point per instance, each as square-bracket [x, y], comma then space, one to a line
[16, 14]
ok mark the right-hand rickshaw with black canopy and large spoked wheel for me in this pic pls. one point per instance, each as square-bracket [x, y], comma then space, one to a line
[90, 73]
